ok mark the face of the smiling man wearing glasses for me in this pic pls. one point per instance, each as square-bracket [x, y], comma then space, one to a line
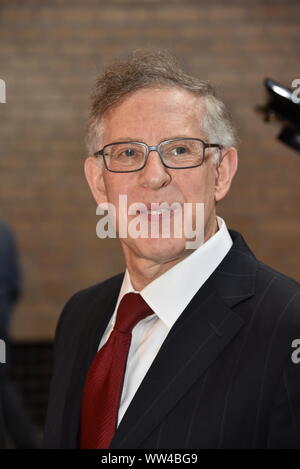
[150, 116]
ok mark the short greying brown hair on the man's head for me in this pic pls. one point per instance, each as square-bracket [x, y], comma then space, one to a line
[146, 69]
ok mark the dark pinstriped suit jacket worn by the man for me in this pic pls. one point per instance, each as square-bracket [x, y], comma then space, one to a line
[223, 378]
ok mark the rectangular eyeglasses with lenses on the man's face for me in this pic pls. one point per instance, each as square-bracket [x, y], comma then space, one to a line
[177, 153]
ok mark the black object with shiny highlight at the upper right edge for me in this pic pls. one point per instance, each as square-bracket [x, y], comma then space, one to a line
[283, 107]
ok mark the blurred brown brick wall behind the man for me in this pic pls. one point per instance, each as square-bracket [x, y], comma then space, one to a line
[50, 54]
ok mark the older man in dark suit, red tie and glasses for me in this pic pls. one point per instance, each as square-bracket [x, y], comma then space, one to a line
[190, 348]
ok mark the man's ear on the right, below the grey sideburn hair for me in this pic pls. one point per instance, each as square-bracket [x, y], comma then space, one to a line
[225, 171]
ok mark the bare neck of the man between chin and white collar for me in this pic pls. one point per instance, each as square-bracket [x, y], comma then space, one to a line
[143, 271]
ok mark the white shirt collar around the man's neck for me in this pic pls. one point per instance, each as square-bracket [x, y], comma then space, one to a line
[170, 293]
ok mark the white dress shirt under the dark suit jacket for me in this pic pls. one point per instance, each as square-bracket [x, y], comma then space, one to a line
[168, 296]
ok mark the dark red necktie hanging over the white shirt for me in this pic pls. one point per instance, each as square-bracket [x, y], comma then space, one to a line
[104, 380]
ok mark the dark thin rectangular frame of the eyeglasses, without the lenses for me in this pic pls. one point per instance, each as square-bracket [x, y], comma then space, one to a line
[157, 149]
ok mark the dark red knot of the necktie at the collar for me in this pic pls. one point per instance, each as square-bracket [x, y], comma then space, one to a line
[132, 309]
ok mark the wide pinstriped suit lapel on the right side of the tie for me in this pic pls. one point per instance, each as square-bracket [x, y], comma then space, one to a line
[195, 341]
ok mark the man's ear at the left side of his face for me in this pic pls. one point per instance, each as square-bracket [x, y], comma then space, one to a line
[93, 169]
